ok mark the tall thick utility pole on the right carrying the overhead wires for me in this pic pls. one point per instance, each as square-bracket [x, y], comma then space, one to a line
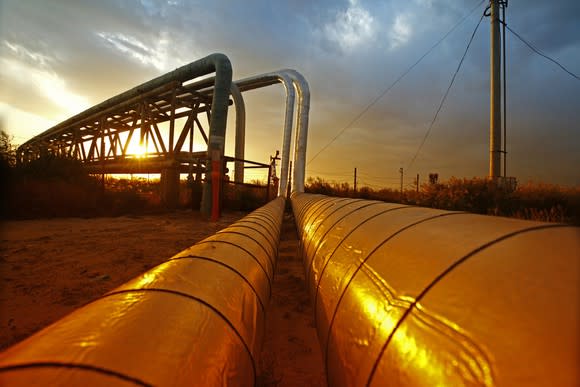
[495, 96]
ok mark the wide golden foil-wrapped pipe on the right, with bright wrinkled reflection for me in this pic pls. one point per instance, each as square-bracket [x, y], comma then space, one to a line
[406, 295]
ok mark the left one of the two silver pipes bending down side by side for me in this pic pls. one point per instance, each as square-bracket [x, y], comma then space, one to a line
[267, 79]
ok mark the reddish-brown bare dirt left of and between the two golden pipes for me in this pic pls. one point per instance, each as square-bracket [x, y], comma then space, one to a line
[50, 267]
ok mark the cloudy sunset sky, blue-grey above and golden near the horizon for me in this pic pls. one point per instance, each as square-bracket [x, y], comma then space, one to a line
[59, 57]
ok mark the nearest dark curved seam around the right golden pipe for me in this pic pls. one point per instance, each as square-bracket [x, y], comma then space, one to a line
[439, 277]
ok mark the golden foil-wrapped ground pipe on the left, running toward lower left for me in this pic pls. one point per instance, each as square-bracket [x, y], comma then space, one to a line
[195, 320]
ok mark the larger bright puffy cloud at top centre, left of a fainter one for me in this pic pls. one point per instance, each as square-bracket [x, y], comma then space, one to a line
[351, 28]
